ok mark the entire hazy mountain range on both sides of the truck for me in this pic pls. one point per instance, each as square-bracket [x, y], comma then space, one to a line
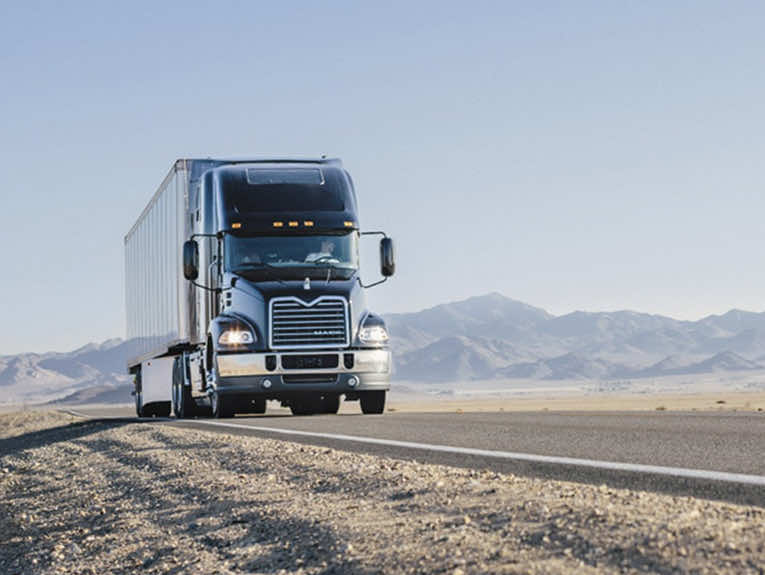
[485, 337]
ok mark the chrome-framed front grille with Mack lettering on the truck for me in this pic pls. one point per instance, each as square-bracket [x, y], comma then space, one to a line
[296, 324]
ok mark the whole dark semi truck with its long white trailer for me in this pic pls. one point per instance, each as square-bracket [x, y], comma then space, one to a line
[243, 286]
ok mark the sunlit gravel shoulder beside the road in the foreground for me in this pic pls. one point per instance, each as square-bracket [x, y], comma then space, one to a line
[84, 497]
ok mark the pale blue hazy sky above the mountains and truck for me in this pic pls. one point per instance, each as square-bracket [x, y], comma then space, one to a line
[574, 155]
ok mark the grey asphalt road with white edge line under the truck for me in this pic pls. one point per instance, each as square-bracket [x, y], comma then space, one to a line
[710, 455]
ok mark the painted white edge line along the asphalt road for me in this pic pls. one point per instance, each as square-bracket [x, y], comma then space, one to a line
[592, 463]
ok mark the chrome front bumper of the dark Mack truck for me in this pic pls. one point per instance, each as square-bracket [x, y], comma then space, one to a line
[249, 373]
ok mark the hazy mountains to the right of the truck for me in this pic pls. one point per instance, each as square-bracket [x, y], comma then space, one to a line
[492, 336]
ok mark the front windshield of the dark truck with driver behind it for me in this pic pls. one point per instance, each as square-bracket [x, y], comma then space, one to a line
[292, 257]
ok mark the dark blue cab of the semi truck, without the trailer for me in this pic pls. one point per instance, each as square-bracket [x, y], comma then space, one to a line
[276, 303]
